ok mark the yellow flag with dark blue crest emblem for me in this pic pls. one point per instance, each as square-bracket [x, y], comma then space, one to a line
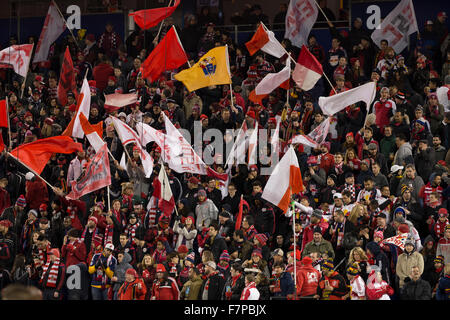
[212, 69]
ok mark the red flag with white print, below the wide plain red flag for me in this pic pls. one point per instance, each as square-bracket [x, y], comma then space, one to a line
[96, 176]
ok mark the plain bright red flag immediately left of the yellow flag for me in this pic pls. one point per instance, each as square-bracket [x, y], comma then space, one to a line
[168, 55]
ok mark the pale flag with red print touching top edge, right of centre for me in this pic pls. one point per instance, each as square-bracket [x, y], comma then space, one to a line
[300, 18]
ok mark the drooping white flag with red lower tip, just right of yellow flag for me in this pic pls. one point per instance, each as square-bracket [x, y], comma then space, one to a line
[270, 83]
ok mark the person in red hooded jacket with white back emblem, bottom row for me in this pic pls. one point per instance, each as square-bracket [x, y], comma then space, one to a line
[307, 278]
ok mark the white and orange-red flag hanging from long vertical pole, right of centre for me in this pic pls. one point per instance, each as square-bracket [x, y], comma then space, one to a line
[286, 180]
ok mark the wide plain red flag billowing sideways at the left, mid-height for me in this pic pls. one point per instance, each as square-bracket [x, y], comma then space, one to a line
[36, 154]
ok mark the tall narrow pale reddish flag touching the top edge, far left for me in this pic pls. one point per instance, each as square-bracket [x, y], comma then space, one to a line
[54, 26]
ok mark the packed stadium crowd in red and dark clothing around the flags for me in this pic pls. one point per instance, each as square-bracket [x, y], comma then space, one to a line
[375, 177]
